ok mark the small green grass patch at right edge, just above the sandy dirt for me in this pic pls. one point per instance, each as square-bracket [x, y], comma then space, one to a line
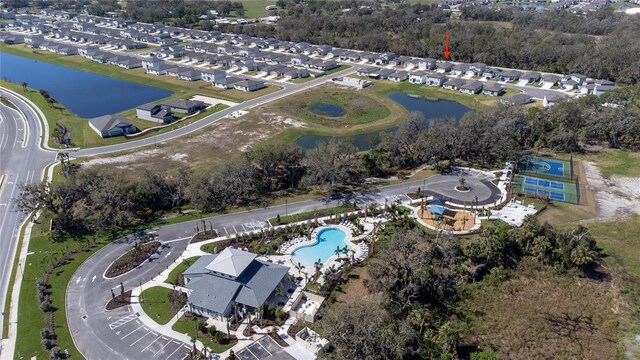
[616, 162]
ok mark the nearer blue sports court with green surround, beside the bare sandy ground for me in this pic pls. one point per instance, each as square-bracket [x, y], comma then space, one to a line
[554, 190]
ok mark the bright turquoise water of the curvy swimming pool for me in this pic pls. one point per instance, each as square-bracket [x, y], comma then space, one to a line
[325, 248]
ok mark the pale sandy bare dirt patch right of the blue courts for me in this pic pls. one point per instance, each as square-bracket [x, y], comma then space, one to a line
[615, 197]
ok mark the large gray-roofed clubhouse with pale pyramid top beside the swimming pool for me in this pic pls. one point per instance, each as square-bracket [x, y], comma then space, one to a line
[218, 281]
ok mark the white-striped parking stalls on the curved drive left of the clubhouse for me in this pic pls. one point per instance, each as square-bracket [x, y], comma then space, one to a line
[148, 343]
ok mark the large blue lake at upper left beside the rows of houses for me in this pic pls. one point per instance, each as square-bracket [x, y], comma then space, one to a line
[85, 94]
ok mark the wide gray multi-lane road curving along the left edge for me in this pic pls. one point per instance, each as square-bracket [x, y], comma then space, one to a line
[21, 161]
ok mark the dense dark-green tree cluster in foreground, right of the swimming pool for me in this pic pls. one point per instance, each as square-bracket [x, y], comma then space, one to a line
[418, 280]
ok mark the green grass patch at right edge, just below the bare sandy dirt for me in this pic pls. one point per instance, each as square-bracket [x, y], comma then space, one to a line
[620, 241]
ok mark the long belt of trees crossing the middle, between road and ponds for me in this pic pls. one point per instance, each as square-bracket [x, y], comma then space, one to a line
[89, 200]
